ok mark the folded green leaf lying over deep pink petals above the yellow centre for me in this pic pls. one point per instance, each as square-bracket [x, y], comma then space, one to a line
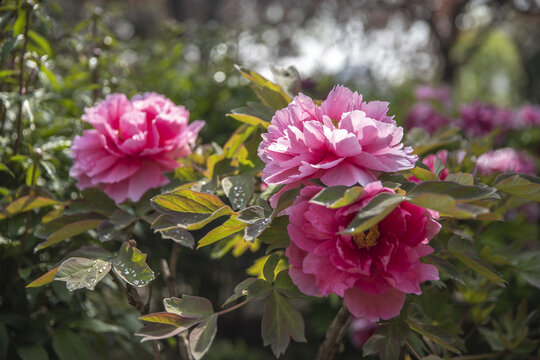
[378, 207]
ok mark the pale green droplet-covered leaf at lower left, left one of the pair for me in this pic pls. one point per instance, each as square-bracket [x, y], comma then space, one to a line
[81, 273]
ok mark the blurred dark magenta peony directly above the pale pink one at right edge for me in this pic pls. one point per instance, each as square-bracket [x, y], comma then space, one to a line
[479, 119]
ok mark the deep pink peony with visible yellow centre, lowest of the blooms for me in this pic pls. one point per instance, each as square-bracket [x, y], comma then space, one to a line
[372, 271]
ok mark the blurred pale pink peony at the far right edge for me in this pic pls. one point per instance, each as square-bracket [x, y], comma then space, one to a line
[506, 159]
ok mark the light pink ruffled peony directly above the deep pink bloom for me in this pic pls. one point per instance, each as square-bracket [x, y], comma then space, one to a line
[343, 142]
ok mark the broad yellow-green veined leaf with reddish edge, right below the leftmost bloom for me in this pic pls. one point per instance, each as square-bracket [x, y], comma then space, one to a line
[191, 209]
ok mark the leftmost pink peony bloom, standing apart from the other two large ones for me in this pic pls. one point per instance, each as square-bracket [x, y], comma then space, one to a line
[132, 144]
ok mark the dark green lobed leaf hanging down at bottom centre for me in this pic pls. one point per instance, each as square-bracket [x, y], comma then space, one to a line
[280, 322]
